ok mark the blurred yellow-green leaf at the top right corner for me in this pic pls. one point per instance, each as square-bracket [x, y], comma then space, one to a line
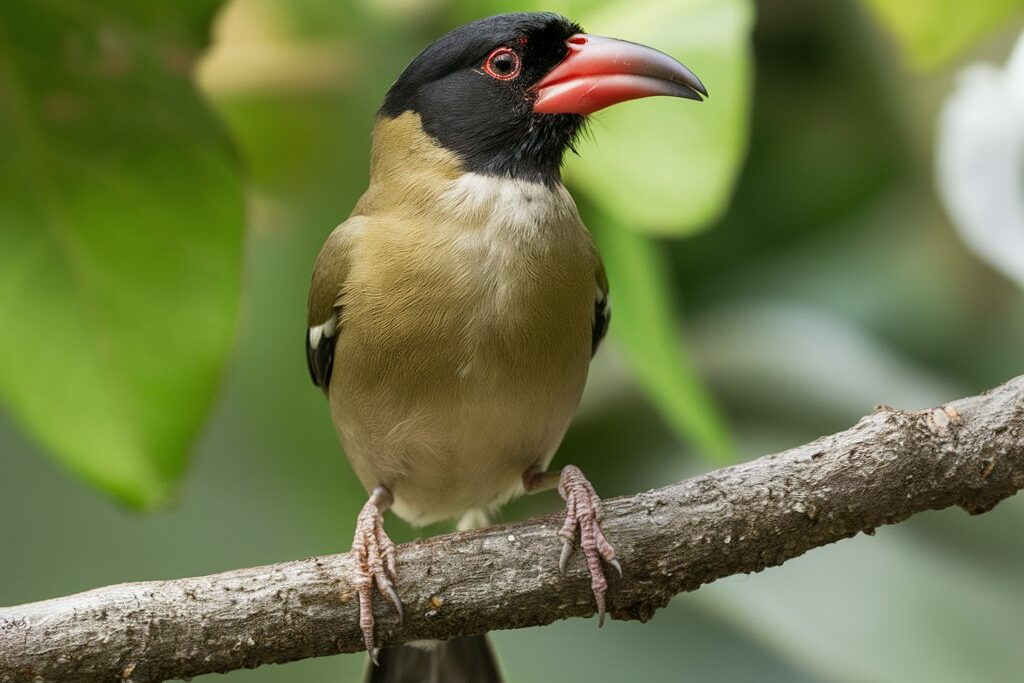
[934, 32]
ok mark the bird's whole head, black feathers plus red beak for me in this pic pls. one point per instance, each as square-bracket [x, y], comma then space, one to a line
[508, 95]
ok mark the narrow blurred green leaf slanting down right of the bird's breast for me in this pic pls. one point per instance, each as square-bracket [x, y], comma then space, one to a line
[645, 325]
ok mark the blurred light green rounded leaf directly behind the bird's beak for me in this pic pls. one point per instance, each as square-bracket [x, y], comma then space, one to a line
[662, 165]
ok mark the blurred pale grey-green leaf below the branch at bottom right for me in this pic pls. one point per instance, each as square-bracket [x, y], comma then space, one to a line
[919, 609]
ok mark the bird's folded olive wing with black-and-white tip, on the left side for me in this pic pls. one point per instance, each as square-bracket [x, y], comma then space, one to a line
[324, 308]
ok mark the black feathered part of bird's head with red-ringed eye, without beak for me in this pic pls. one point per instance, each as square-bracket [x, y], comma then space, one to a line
[473, 92]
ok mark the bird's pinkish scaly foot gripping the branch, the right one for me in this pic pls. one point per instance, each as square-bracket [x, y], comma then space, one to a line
[583, 513]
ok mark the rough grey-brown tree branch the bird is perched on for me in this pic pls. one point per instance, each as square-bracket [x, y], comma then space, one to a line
[739, 520]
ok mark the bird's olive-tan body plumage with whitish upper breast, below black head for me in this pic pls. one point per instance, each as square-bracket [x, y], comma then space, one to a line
[466, 322]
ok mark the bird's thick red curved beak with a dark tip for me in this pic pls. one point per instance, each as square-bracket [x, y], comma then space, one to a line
[602, 72]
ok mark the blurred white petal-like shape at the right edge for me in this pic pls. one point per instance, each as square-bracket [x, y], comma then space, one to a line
[980, 162]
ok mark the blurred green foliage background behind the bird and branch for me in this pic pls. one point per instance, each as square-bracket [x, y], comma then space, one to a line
[802, 247]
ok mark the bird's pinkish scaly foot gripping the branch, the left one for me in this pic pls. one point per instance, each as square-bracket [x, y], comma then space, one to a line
[374, 564]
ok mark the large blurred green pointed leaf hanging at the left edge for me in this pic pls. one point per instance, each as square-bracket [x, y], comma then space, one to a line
[121, 228]
